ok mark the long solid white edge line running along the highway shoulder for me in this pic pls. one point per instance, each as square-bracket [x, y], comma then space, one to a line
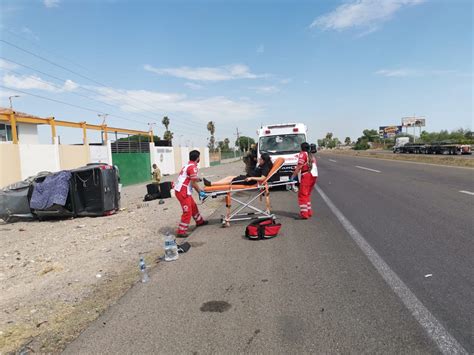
[446, 343]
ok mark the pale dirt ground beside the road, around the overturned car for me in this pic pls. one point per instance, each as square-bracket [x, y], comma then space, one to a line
[57, 276]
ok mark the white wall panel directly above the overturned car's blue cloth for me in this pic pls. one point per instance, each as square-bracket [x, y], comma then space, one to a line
[38, 157]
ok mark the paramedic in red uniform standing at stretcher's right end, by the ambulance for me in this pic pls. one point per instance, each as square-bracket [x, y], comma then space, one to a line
[305, 165]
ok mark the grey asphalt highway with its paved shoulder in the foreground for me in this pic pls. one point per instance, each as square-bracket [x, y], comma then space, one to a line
[384, 266]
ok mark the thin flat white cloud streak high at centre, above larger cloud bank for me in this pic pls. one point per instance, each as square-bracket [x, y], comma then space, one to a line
[226, 72]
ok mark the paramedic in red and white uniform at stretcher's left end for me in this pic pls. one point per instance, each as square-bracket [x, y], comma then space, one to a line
[187, 180]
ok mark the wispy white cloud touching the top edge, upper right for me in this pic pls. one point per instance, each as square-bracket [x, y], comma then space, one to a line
[361, 14]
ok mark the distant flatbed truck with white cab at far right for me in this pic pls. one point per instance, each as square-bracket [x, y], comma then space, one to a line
[403, 145]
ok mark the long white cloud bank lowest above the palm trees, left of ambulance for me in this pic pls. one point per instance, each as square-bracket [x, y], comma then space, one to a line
[212, 108]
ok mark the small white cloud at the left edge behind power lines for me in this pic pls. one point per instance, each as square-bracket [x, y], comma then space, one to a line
[33, 82]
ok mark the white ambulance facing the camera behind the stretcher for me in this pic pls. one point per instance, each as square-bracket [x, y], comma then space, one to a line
[282, 140]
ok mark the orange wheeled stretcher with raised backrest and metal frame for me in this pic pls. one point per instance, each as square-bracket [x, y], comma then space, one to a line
[258, 191]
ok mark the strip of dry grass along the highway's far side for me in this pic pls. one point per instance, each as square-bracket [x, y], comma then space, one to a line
[419, 158]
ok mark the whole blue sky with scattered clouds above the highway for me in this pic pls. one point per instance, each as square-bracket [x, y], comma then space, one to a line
[338, 66]
